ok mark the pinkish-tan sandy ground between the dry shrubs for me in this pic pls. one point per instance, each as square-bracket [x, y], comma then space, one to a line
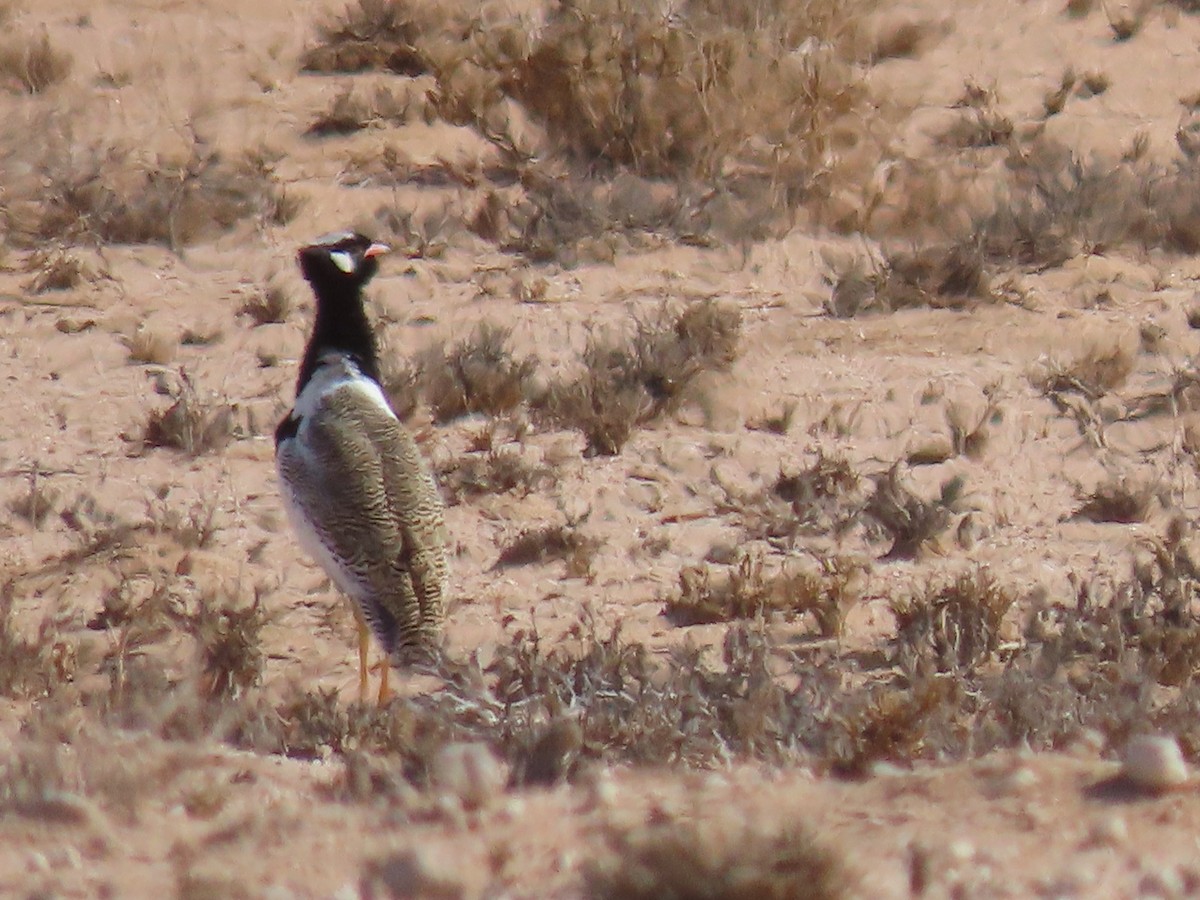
[205, 820]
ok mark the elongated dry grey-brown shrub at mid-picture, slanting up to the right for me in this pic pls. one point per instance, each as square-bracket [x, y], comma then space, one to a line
[628, 383]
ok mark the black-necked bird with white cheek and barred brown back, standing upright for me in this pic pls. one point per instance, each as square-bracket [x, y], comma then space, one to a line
[359, 495]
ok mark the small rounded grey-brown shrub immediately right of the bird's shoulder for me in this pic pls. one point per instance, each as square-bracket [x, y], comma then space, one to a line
[478, 375]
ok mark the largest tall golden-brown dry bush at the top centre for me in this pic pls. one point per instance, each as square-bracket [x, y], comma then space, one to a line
[623, 85]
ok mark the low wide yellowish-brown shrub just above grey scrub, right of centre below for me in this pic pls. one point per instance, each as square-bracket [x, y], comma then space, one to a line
[747, 591]
